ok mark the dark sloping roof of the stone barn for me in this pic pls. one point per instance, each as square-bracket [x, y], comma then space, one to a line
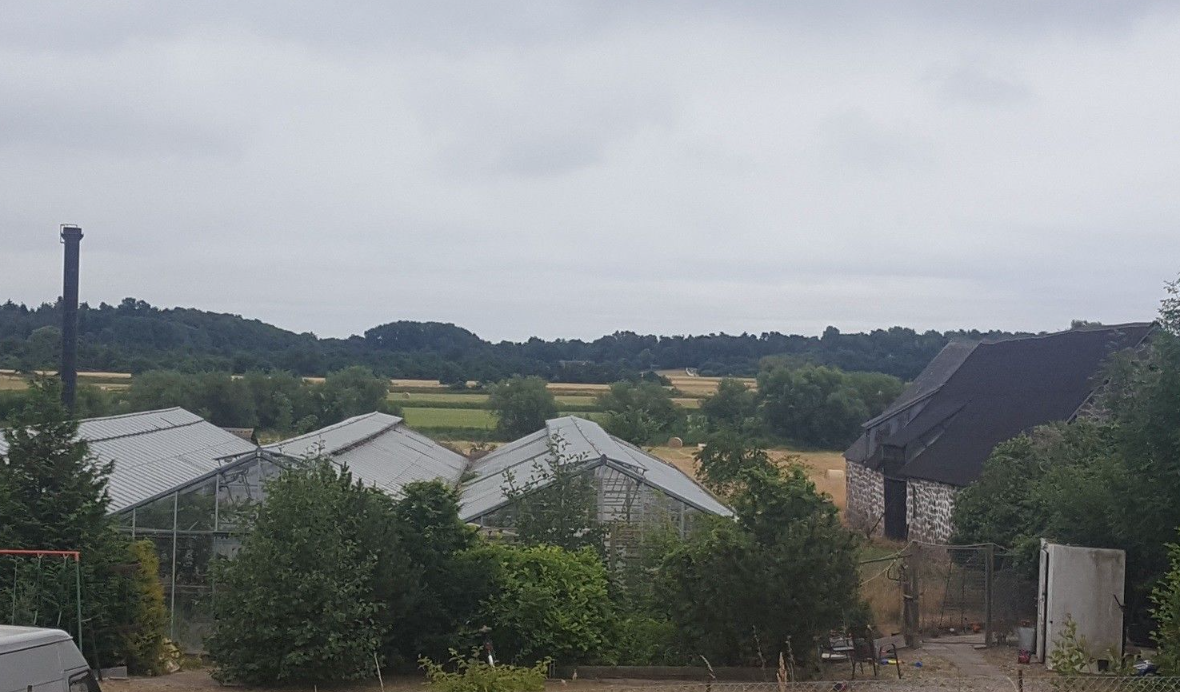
[1002, 389]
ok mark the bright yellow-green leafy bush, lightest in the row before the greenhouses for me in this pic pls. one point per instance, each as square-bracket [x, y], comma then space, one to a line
[545, 603]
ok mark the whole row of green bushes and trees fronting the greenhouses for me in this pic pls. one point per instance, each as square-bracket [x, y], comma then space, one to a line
[405, 577]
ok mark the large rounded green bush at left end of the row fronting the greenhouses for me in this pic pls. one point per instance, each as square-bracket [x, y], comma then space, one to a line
[317, 586]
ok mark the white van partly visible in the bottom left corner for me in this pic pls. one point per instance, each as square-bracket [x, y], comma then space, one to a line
[42, 661]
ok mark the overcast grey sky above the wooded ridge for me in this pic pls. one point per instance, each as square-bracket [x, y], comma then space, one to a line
[569, 169]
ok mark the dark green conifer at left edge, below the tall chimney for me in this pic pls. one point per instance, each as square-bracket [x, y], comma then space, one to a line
[54, 497]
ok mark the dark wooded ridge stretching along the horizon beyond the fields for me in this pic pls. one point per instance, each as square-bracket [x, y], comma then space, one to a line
[136, 337]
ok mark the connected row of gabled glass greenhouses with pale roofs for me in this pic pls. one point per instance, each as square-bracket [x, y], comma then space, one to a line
[186, 485]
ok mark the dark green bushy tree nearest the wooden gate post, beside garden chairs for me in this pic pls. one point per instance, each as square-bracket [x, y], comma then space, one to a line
[784, 572]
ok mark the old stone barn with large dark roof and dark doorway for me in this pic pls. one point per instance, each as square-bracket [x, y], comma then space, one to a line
[912, 461]
